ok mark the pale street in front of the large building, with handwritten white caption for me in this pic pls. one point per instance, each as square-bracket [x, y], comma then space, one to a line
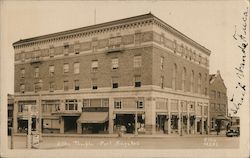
[128, 142]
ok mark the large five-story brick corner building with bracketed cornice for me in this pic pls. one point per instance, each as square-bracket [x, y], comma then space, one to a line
[138, 73]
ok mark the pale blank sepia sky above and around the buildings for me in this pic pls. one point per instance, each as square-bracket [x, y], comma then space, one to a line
[210, 23]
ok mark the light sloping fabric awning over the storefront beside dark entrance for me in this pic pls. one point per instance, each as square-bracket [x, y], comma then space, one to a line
[93, 117]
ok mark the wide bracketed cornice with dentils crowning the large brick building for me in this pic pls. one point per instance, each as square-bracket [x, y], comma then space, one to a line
[87, 31]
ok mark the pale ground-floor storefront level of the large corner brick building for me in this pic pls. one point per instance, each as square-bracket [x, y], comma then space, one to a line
[140, 111]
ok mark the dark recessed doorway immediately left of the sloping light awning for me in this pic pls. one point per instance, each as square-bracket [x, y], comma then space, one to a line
[70, 125]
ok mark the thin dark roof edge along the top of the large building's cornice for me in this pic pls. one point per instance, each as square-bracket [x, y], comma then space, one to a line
[129, 19]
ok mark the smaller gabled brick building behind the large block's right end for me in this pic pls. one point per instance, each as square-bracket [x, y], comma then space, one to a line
[218, 102]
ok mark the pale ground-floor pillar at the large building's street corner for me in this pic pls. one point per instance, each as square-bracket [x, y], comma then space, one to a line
[150, 115]
